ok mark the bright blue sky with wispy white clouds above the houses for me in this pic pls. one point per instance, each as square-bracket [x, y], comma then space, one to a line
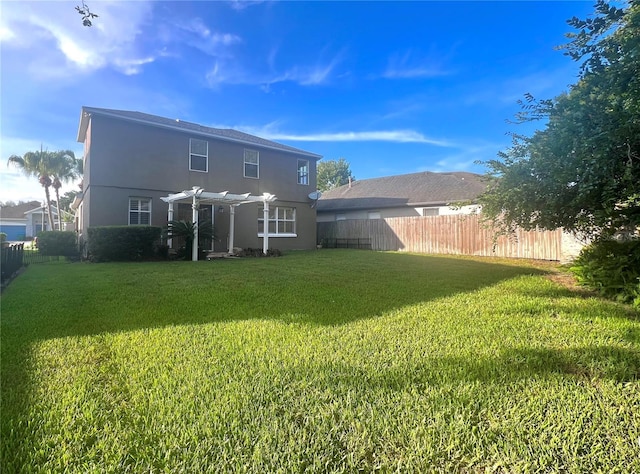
[392, 87]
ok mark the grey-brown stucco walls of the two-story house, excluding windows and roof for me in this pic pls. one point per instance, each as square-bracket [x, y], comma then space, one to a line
[128, 159]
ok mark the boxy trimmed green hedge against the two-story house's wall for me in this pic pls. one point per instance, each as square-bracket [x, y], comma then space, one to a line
[122, 243]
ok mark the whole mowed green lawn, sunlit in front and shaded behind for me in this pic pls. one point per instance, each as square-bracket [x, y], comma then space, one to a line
[327, 361]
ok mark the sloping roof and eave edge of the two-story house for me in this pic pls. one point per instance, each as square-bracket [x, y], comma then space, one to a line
[177, 124]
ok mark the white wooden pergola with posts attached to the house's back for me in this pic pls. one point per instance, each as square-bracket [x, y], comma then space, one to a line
[198, 196]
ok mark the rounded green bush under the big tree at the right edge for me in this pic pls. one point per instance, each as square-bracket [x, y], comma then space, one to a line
[612, 268]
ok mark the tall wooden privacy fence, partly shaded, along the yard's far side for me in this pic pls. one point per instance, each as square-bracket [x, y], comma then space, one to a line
[455, 234]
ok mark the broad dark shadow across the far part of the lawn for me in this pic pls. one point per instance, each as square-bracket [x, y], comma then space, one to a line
[328, 287]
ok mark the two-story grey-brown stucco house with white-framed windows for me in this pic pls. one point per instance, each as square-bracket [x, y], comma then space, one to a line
[136, 164]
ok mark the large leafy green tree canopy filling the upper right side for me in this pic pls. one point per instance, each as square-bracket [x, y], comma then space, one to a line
[582, 171]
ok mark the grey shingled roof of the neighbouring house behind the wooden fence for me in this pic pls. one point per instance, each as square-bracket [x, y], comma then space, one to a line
[416, 189]
